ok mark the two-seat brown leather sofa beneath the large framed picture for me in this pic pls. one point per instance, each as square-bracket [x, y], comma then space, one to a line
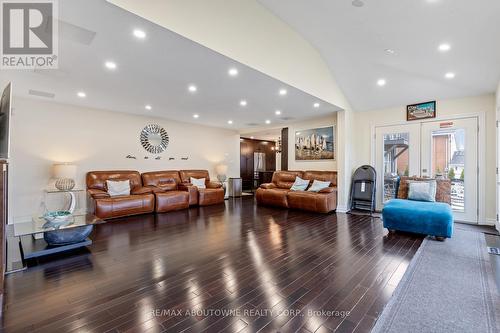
[278, 193]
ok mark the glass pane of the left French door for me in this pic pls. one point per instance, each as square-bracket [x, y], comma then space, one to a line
[396, 161]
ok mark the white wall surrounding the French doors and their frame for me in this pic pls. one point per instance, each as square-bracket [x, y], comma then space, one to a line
[364, 121]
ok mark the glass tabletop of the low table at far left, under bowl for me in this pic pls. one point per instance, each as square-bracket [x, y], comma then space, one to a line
[39, 224]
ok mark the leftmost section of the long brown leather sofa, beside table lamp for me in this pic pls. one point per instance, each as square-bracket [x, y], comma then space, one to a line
[140, 201]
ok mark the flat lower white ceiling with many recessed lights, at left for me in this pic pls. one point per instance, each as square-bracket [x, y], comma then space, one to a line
[156, 71]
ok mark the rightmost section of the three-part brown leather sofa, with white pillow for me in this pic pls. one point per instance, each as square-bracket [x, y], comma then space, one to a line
[213, 194]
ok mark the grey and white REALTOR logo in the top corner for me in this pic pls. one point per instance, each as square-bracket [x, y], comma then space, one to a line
[29, 34]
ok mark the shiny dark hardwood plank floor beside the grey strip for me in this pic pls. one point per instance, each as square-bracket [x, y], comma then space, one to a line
[237, 268]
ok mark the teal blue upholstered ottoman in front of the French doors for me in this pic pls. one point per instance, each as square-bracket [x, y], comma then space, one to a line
[428, 218]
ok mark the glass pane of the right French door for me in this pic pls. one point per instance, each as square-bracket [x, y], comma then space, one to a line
[448, 161]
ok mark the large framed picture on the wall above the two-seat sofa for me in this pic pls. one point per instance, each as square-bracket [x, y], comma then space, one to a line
[315, 144]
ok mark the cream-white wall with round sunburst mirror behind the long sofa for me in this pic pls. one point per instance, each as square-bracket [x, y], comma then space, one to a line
[44, 133]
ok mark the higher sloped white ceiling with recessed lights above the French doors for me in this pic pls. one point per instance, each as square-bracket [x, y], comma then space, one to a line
[353, 42]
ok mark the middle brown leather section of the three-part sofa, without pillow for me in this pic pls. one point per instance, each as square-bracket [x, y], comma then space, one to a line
[165, 185]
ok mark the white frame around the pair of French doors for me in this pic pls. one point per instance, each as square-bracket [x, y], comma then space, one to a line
[481, 153]
